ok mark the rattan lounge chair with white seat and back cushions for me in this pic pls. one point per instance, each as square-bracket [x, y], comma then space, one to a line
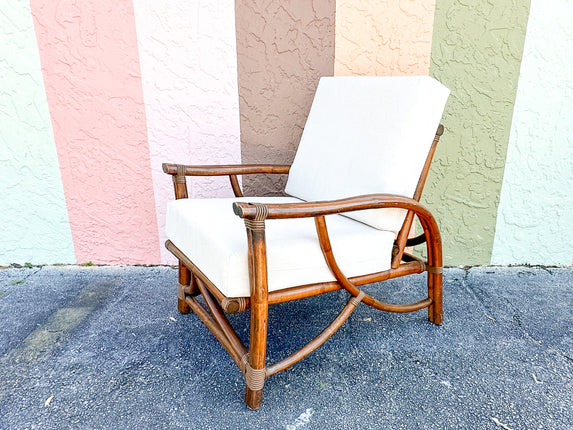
[353, 193]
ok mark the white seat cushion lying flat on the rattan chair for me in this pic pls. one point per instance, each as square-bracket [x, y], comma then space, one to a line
[214, 239]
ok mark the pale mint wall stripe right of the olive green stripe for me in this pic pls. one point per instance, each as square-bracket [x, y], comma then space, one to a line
[536, 205]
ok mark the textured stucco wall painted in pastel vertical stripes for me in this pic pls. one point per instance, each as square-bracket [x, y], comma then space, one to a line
[94, 95]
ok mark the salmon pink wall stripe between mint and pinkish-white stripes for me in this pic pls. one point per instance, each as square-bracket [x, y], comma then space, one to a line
[90, 64]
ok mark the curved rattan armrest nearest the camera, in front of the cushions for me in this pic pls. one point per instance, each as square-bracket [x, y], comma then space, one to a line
[313, 209]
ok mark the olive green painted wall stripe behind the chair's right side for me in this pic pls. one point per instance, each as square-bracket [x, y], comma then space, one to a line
[476, 52]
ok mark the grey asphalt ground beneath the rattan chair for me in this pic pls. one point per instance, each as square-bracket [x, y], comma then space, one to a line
[105, 348]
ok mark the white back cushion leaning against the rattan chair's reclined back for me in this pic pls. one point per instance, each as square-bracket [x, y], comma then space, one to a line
[367, 135]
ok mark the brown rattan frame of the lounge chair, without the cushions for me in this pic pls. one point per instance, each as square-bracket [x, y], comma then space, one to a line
[251, 360]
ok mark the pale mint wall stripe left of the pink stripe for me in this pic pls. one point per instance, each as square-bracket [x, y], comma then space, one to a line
[33, 220]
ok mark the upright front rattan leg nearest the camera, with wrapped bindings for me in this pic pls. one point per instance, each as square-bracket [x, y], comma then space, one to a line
[254, 363]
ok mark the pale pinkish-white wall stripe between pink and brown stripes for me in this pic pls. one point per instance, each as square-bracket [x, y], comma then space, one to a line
[189, 71]
